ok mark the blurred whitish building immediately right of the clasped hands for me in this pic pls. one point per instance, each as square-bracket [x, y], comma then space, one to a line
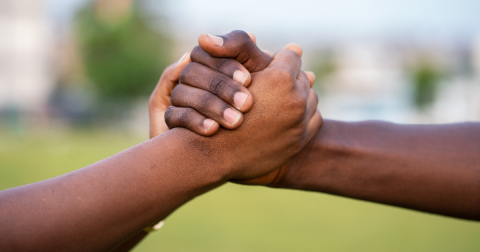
[368, 83]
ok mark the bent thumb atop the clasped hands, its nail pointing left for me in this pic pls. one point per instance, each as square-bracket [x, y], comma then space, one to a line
[237, 45]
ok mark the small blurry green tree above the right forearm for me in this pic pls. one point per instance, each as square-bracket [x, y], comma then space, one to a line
[425, 78]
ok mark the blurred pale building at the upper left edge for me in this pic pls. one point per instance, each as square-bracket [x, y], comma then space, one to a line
[27, 74]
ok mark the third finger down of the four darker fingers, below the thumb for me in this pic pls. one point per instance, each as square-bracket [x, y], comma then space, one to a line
[207, 104]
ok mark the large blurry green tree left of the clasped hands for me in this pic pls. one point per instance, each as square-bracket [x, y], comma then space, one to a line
[123, 55]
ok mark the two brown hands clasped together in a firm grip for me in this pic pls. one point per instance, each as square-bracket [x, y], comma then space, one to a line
[265, 106]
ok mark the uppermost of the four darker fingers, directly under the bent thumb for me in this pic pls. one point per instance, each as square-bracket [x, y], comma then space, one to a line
[229, 67]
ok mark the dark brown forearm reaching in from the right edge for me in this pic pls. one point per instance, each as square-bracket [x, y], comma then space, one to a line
[433, 168]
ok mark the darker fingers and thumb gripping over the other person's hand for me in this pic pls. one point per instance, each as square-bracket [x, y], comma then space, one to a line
[214, 94]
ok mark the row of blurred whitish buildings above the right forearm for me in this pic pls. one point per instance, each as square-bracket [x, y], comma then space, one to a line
[372, 80]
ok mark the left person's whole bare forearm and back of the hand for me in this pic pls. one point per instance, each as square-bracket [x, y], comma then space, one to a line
[98, 207]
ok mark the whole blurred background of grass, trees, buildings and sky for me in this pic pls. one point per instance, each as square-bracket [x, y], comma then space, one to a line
[75, 76]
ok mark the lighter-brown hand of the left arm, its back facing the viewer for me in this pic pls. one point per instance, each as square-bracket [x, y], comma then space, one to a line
[282, 121]
